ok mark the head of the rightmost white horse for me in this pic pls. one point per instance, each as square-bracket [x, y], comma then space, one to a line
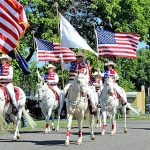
[110, 85]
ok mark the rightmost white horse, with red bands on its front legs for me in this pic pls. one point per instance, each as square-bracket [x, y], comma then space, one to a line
[110, 103]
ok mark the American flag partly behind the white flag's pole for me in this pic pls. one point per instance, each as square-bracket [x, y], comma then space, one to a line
[49, 51]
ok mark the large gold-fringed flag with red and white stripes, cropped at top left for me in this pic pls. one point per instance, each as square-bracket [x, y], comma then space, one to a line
[13, 23]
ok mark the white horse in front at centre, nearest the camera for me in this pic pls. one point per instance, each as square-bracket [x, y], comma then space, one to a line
[77, 104]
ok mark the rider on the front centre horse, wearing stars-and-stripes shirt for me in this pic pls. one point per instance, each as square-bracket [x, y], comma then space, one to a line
[80, 65]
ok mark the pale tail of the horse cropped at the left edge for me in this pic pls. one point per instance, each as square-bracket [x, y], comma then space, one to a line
[29, 119]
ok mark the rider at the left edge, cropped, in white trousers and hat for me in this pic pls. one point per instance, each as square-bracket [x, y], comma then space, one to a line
[6, 76]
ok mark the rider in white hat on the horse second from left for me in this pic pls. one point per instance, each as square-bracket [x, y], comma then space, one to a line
[52, 79]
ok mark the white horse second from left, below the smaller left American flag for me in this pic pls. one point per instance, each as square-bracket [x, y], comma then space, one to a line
[48, 104]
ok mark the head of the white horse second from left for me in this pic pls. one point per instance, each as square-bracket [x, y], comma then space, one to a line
[41, 90]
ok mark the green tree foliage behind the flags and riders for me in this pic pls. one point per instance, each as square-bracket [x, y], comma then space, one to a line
[85, 15]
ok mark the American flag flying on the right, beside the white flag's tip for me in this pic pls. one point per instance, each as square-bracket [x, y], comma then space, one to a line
[123, 44]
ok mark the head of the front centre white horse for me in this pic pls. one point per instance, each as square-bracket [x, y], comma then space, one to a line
[82, 84]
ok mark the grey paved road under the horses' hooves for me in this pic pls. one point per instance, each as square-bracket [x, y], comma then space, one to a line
[137, 138]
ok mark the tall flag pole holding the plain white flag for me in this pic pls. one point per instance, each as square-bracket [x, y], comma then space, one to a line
[61, 57]
